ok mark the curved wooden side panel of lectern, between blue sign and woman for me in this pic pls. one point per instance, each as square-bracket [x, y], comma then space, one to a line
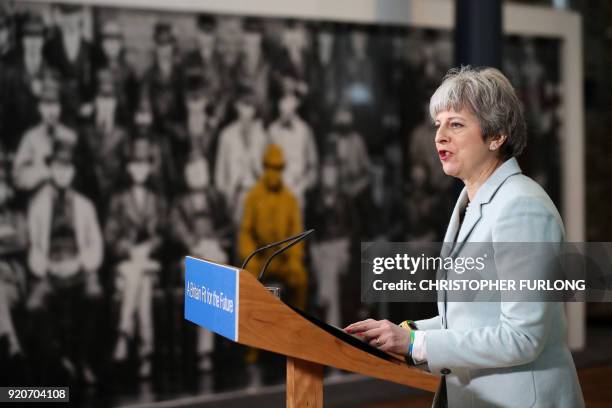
[267, 323]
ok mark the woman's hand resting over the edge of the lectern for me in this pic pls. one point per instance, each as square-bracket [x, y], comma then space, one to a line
[382, 334]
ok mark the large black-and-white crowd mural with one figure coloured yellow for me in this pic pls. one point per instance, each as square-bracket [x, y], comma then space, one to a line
[131, 138]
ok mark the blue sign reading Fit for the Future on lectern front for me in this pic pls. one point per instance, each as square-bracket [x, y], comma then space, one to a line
[211, 296]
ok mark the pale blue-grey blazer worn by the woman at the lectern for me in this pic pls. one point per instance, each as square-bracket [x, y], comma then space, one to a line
[503, 354]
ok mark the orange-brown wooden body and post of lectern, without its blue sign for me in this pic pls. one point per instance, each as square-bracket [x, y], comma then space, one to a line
[265, 322]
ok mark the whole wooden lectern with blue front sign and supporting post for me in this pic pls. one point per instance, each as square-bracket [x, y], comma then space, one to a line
[231, 302]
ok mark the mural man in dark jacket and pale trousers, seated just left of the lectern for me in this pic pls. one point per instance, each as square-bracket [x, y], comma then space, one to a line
[134, 233]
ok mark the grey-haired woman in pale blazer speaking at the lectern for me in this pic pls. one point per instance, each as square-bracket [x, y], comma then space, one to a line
[504, 354]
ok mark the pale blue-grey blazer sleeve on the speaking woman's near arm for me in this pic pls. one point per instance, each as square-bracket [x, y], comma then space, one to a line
[523, 327]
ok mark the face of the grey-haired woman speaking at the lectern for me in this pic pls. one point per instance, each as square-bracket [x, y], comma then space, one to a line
[460, 145]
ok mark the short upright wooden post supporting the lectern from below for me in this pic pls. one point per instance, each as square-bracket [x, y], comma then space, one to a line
[304, 384]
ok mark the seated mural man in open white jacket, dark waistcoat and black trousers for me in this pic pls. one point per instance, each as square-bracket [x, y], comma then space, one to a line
[65, 254]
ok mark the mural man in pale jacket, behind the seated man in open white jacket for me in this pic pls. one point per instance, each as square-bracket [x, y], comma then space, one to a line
[30, 168]
